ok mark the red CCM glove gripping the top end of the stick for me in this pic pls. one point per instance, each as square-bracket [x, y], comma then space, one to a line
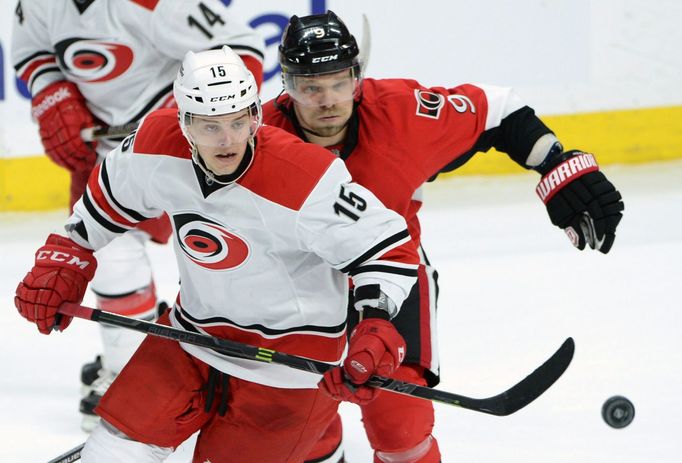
[61, 273]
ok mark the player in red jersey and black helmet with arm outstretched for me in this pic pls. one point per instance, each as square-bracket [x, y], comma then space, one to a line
[394, 135]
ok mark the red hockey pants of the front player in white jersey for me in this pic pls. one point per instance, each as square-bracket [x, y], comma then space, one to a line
[160, 395]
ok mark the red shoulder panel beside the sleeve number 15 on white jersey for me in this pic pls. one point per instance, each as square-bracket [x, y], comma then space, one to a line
[285, 169]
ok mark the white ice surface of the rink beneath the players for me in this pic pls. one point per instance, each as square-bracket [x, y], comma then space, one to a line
[512, 289]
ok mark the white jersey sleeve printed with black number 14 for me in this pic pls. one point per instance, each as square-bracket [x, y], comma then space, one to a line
[179, 26]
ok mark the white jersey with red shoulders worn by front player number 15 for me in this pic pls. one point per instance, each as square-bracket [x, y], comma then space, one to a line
[263, 260]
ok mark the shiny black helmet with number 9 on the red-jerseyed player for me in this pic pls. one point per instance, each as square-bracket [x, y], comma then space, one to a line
[317, 44]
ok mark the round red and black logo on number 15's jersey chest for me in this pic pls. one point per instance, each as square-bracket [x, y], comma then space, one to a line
[208, 244]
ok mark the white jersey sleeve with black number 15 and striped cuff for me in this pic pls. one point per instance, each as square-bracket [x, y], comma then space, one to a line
[348, 227]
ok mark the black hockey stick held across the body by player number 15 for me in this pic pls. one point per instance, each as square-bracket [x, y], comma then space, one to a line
[506, 403]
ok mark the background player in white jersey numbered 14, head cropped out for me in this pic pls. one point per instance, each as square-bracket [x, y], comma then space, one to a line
[110, 62]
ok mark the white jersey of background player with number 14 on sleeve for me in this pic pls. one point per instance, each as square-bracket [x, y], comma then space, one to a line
[122, 54]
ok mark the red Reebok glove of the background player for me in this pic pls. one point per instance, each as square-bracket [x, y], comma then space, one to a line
[61, 114]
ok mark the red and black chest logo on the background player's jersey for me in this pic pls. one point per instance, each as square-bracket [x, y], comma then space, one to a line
[93, 60]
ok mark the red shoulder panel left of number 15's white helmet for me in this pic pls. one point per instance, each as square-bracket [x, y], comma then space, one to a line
[160, 133]
